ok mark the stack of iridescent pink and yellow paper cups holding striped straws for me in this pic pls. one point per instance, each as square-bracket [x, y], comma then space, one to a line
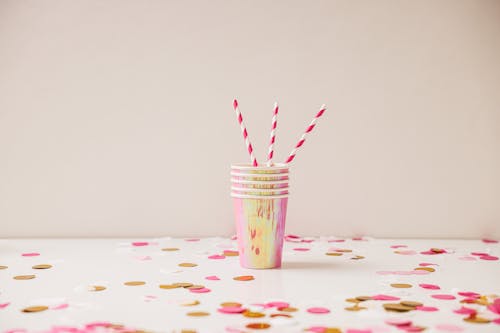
[260, 198]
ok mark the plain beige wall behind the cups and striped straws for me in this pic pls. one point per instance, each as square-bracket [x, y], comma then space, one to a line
[116, 119]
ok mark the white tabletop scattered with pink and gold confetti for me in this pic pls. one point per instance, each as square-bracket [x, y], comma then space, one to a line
[197, 285]
